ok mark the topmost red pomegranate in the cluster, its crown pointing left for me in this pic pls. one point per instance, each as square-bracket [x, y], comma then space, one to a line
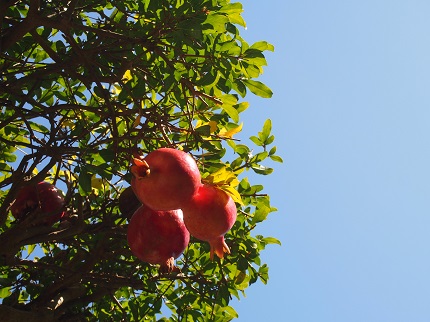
[165, 179]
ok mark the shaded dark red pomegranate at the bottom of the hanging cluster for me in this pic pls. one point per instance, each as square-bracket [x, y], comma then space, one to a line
[157, 237]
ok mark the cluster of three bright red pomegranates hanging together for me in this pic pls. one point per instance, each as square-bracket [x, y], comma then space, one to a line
[175, 204]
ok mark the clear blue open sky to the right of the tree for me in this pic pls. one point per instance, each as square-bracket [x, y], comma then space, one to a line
[351, 116]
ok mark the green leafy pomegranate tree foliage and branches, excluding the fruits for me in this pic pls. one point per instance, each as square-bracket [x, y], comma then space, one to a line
[84, 84]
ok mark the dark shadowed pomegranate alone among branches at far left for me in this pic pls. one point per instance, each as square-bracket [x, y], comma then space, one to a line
[43, 197]
